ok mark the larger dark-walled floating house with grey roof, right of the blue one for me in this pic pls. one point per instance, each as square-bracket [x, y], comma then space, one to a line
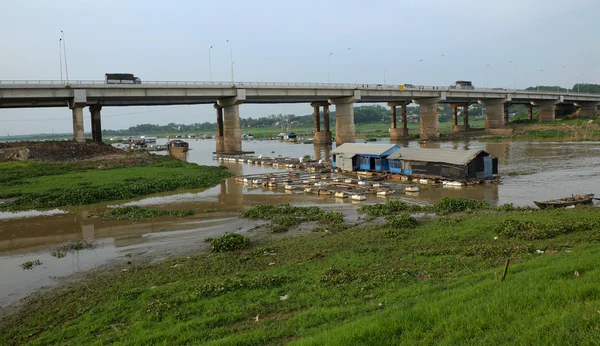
[462, 165]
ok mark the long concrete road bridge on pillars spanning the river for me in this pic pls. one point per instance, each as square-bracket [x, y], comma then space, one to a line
[228, 97]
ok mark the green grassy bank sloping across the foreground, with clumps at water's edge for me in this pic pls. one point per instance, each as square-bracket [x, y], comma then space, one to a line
[401, 281]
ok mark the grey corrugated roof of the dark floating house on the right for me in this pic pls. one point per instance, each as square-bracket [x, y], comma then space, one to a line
[453, 156]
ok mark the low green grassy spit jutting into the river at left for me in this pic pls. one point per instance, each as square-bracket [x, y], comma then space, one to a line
[39, 185]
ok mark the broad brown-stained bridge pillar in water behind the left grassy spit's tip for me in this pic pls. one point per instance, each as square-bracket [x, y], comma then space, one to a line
[232, 140]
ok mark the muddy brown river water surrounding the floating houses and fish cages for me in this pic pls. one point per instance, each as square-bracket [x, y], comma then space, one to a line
[555, 169]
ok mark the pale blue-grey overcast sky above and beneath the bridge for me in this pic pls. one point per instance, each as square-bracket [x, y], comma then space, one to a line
[289, 41]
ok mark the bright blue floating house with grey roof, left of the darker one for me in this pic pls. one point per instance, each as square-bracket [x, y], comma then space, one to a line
[368, 157]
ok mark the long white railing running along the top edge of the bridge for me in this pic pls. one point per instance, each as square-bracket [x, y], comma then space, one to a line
[222, 84]
